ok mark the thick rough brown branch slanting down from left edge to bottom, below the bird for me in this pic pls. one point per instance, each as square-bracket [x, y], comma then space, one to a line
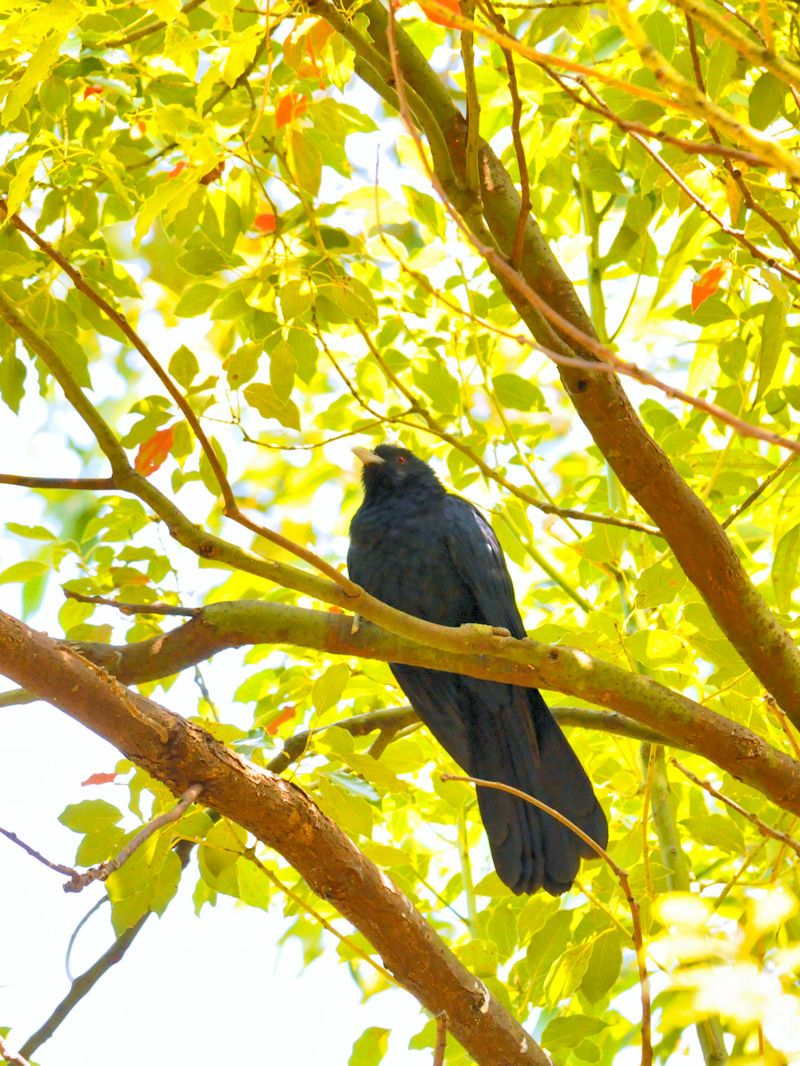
[181, 754]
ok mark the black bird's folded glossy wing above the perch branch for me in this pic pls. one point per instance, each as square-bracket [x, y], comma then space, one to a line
[482, 567]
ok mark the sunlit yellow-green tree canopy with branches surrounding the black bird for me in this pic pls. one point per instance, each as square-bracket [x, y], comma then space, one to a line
[553, 248]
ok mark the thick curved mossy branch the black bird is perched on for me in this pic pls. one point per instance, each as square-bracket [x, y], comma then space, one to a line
[729, 745]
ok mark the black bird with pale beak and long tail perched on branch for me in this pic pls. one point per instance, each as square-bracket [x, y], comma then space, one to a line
[433, 555]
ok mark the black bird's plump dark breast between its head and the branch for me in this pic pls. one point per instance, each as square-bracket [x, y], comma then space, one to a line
[403, 559]
